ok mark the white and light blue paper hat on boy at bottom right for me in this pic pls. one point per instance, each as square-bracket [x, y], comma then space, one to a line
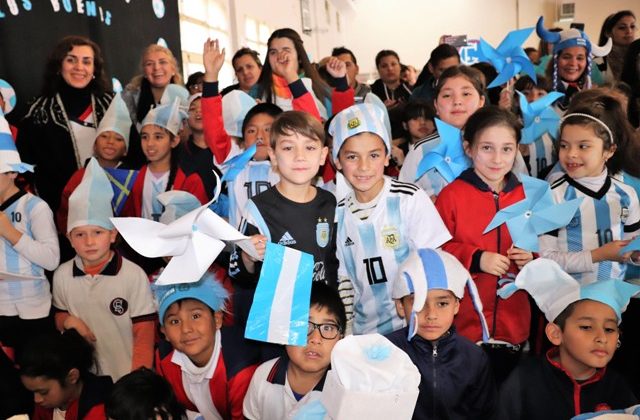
[554, 290]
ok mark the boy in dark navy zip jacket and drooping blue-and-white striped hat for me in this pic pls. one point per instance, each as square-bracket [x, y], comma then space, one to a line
[456, 375]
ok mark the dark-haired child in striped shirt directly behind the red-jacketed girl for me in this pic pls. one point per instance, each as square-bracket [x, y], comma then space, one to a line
[459, 93]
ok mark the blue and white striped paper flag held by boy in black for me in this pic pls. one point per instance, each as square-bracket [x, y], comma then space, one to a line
[280, 310]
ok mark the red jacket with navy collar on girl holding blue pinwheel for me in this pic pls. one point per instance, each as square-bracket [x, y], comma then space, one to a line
[466, 206]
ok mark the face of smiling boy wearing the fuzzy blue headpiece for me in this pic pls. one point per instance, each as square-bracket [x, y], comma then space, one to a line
[190, 326]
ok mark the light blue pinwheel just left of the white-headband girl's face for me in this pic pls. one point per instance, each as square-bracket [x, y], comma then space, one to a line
[539, 117]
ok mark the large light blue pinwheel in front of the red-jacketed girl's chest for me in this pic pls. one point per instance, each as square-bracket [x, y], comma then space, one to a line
[535, 215]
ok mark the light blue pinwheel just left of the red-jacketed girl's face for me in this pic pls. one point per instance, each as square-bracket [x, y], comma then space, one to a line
[448, 157]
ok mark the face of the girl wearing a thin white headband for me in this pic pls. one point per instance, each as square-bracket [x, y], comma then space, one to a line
[581, 152]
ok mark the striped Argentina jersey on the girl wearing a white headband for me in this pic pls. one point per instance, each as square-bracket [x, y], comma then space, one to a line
[610, 214]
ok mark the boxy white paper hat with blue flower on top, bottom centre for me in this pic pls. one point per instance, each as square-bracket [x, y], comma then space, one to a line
[369, 375]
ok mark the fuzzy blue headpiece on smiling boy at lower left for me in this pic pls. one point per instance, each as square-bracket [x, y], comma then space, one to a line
[207, 290]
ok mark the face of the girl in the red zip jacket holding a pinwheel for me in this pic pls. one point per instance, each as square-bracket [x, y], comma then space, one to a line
[493, 153]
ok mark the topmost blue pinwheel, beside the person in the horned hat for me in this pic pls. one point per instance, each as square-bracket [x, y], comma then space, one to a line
[509, 58]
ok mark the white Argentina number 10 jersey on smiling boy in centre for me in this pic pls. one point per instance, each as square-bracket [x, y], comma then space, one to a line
[370, 251]
